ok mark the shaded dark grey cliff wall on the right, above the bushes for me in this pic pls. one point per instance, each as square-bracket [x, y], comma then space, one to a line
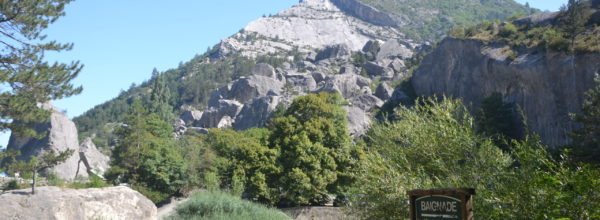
[547, 86]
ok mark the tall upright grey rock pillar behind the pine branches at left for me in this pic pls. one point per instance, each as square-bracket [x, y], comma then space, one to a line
[61, 135]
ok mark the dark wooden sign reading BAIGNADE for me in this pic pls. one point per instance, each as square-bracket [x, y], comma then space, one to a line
[441, 204]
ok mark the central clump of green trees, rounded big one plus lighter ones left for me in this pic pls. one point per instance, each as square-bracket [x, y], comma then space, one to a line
[304, 157]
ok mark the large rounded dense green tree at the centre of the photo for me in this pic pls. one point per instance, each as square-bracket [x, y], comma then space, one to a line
[314, 146]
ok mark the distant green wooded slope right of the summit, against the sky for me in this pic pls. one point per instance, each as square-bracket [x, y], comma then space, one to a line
[428, 20]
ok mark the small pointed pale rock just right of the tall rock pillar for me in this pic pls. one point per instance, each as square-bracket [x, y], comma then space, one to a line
[91, 160]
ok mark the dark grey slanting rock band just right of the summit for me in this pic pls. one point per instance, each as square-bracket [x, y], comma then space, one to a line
[365, 12]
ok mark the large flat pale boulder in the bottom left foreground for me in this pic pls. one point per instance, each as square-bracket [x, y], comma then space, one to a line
[53, 203]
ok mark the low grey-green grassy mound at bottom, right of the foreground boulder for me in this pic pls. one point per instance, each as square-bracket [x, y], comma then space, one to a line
[221, 205]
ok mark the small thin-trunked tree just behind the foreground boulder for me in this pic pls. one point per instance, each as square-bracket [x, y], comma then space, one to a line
[47, 160]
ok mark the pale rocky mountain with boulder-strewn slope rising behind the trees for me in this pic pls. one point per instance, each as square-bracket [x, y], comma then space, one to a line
[353, 47]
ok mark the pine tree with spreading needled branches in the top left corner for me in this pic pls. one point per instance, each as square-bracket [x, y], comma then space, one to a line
[29, 79]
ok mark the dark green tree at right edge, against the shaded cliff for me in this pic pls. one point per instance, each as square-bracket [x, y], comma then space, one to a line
[587, 138]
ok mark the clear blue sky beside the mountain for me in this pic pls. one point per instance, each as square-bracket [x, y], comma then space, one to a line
[121, 41]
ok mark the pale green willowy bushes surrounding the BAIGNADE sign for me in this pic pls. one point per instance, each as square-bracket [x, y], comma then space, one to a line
[435, 145]
